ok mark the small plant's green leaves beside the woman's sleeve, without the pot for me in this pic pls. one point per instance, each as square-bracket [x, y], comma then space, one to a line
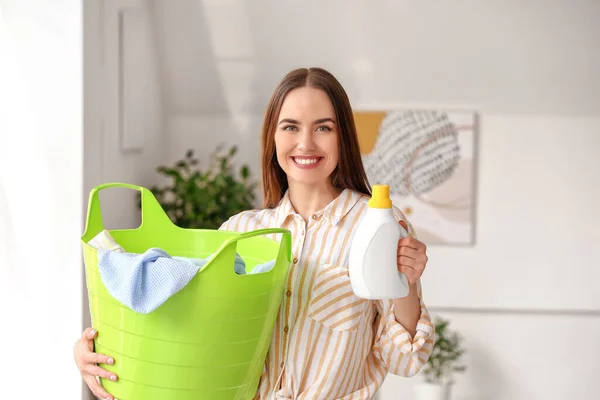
[445, 359]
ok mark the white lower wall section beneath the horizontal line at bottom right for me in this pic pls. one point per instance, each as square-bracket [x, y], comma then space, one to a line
[520, 356]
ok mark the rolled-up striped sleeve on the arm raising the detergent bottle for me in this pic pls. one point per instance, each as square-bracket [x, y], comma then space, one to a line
[399, 352]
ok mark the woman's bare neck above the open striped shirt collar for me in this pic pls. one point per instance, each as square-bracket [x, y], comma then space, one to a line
[308, 199]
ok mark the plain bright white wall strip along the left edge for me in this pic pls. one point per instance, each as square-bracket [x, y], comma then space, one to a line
[40, 197]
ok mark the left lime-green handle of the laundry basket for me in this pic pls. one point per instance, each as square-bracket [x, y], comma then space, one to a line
[152, 211]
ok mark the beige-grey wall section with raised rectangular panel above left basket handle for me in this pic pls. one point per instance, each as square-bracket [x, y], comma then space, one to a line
[123, 115]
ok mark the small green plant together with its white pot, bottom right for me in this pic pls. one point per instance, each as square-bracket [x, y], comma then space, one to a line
[443, 364]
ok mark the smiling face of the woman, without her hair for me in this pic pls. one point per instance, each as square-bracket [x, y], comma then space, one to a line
[306, 138]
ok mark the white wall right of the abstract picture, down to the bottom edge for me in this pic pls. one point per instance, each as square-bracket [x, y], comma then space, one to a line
[524, 296]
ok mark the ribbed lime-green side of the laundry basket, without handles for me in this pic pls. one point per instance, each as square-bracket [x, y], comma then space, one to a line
[209, 341]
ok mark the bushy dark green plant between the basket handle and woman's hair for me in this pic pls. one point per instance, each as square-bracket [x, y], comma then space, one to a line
[205, 199]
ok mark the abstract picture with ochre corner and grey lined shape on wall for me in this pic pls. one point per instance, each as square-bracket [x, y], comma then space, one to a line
[427, 157]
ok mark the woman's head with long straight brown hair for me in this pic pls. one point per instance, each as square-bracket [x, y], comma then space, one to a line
[308, 125]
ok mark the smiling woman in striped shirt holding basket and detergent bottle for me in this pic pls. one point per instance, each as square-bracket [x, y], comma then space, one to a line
[327, 343]
